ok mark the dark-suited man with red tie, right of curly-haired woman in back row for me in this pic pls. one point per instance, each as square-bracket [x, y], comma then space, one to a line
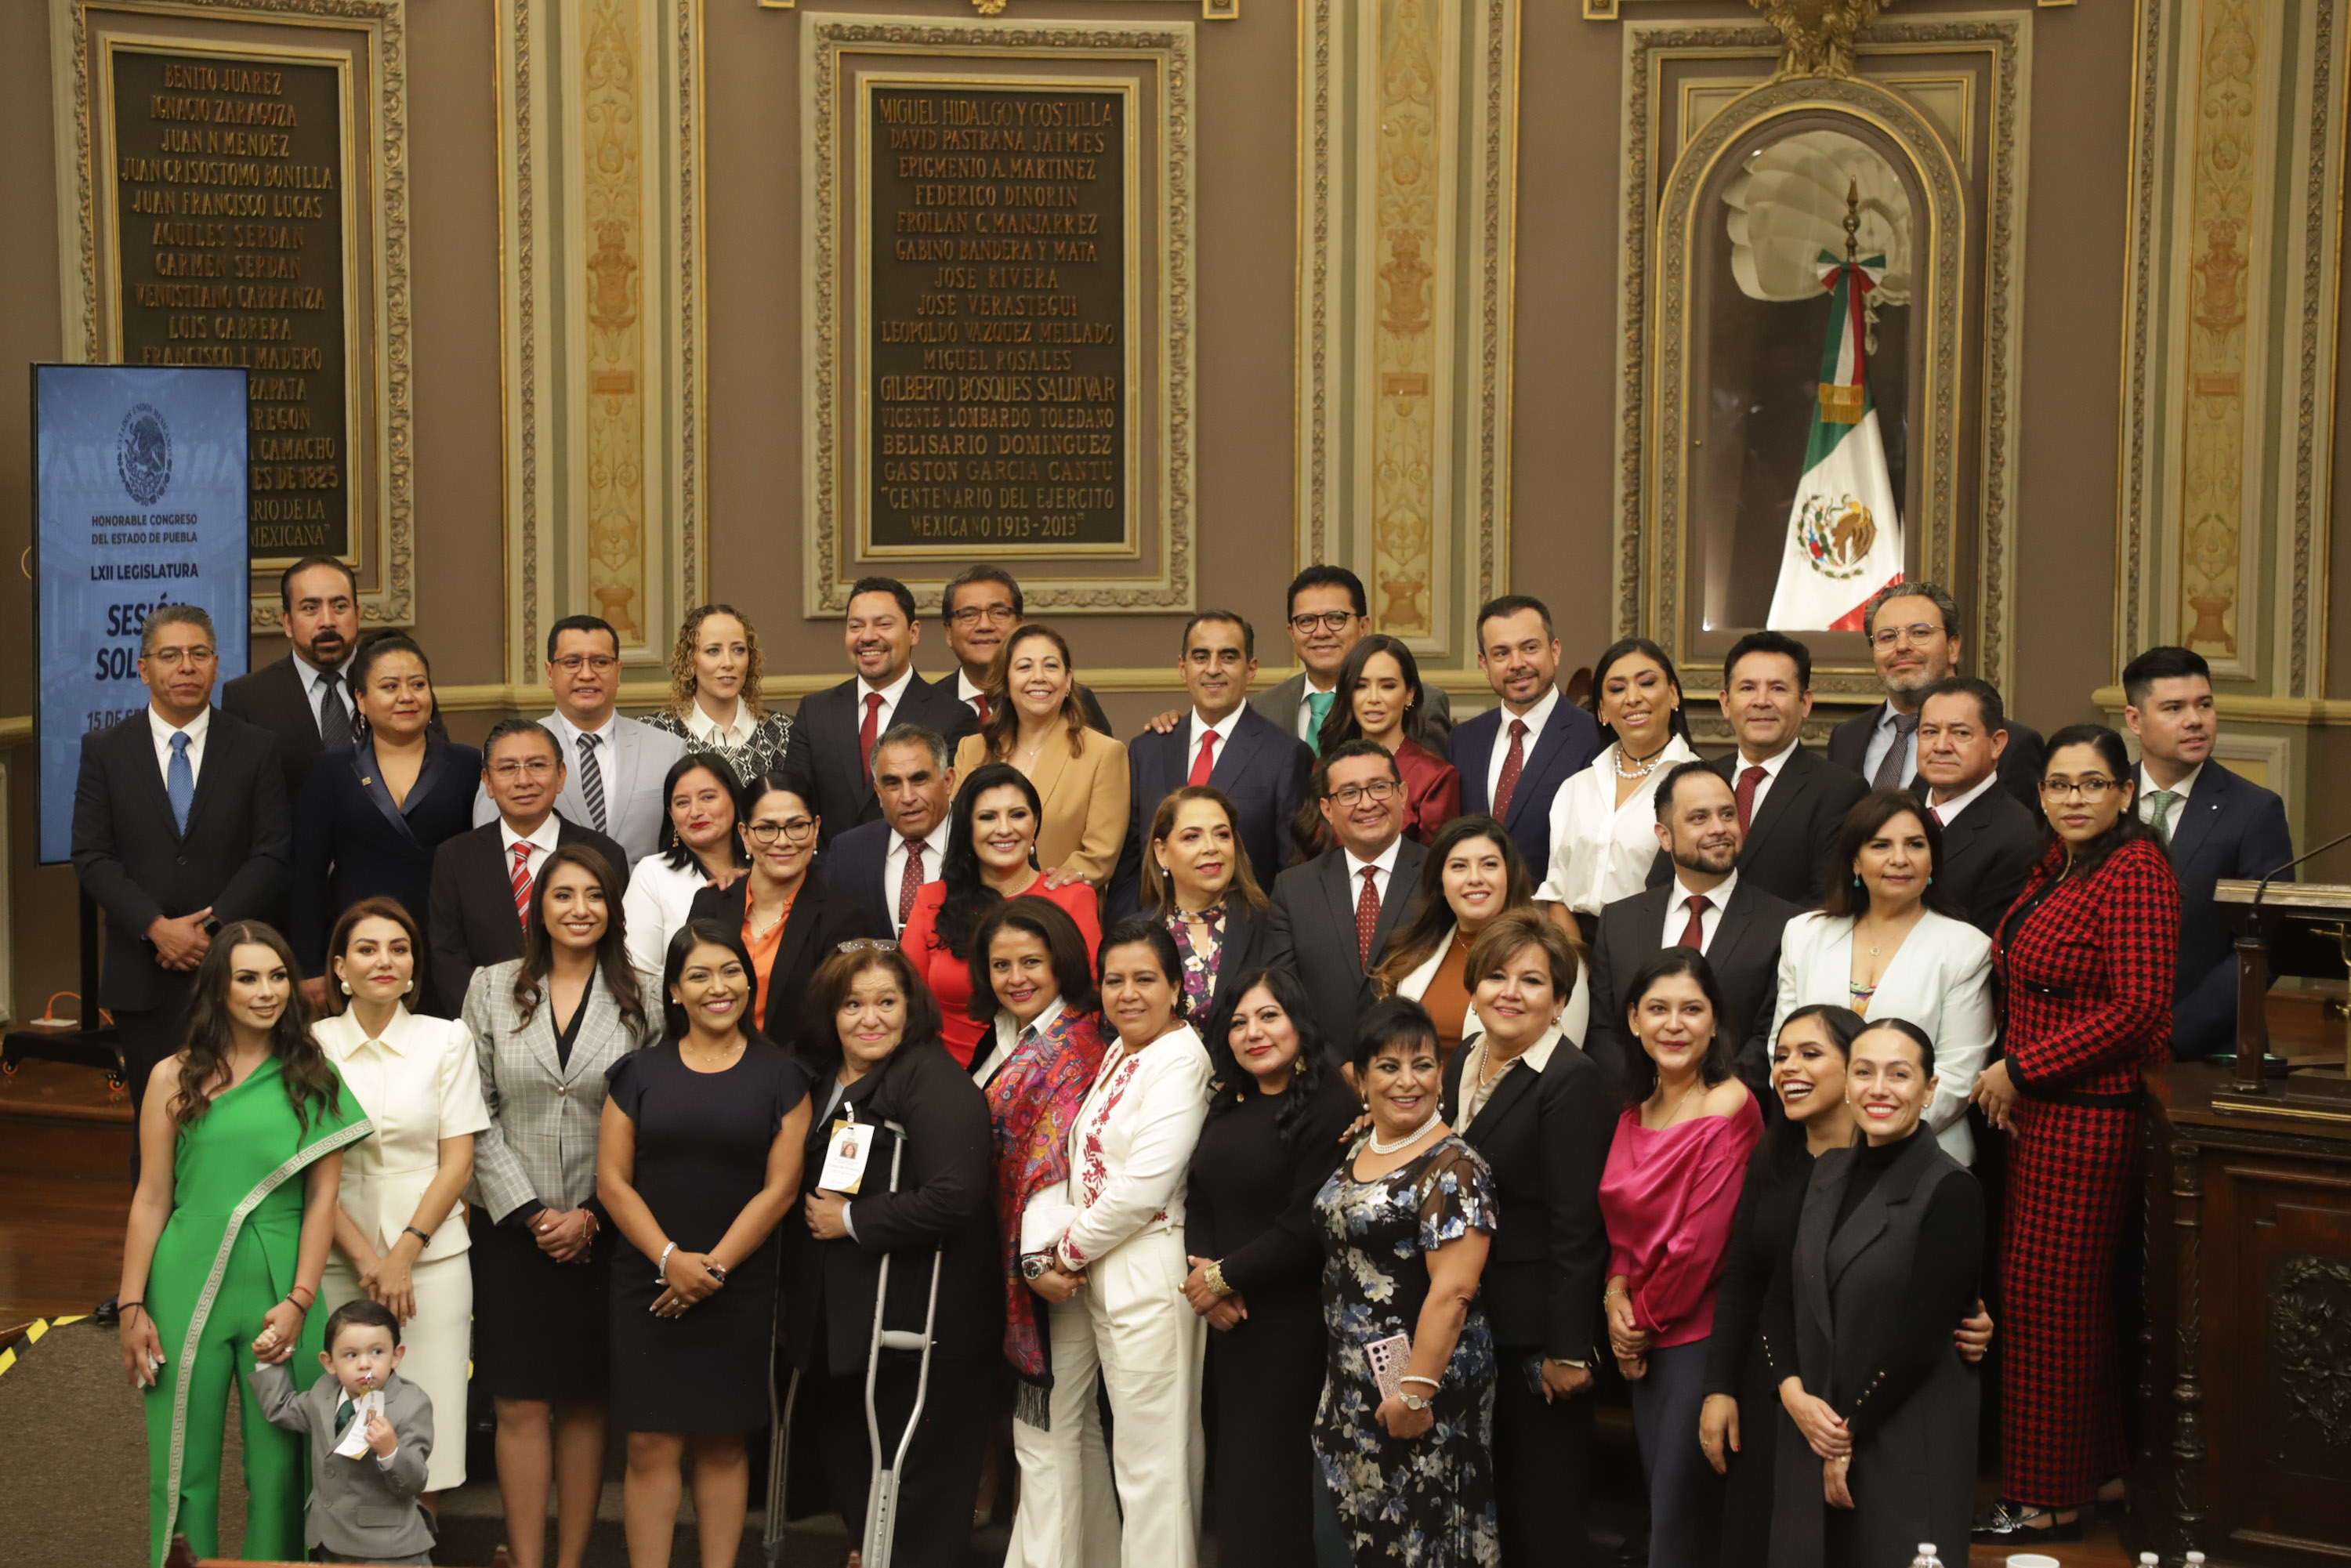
[838, 728]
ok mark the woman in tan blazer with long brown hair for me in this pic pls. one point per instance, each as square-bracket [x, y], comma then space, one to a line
[1038, 725]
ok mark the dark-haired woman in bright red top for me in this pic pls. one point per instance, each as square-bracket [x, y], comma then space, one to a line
[991, 857]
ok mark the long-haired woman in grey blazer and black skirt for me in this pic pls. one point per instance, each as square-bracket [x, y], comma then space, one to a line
[547, 1028]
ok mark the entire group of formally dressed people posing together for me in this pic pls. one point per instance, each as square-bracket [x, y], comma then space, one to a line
[1308, 1090]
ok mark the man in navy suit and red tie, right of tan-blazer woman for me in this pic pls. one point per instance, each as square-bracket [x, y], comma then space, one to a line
[1224, 744]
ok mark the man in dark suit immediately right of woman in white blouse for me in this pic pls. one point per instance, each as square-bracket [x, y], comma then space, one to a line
[1790, 800]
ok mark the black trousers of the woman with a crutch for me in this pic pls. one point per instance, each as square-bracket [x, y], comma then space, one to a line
[942, 1480]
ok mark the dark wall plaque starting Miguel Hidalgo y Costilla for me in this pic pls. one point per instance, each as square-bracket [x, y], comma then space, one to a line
[998, 406]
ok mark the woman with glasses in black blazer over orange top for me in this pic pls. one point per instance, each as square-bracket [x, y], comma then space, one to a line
[789, 920]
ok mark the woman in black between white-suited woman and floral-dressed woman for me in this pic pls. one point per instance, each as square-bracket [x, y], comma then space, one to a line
[1275, 1132]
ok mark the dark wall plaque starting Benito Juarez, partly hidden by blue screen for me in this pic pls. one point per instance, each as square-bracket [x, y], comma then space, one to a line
[234, 248]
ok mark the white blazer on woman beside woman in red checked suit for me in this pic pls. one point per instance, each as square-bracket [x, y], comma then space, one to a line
[1941, 979]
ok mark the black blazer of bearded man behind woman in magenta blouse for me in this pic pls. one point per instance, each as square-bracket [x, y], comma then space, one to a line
[1746, 960]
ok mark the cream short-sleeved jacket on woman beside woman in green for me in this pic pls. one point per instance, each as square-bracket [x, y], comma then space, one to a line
[420, 1085]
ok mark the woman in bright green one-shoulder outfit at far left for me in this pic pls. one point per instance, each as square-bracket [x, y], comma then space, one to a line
[227, 1247]
